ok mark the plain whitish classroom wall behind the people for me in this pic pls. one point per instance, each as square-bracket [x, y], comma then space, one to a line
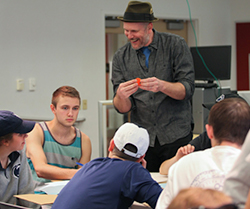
[62, 42]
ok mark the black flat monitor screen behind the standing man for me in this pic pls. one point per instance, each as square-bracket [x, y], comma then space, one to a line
[217, 59]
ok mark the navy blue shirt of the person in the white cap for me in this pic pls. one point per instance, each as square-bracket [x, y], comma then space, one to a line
[109, 183]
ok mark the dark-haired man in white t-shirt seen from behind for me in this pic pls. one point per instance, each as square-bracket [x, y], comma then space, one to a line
[228, 125]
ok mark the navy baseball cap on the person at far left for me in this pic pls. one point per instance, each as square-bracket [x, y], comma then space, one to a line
[11, 123]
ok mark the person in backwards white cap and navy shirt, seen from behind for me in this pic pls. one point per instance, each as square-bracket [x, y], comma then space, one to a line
[115, 181]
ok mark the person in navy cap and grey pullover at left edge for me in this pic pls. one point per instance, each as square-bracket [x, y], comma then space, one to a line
[15, 175]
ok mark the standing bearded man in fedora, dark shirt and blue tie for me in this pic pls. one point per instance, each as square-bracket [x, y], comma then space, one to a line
[156, 87]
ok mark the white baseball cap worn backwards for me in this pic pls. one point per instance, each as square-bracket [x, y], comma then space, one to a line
[130, 133]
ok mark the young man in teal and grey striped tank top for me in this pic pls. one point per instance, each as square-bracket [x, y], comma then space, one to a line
[55, 147]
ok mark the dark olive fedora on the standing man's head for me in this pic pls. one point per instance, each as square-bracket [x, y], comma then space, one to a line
[138, 11]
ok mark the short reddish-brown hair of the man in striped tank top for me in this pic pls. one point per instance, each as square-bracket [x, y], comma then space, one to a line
[68, 91]
